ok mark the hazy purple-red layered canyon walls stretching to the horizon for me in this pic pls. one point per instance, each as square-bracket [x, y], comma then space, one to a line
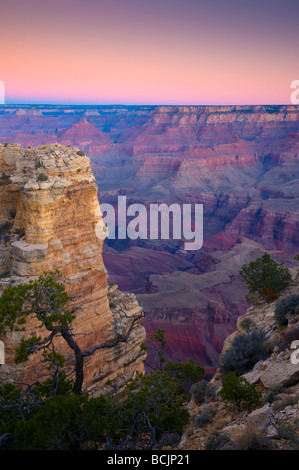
[240, 162]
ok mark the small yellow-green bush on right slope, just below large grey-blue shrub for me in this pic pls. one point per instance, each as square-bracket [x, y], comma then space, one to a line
[238, 391]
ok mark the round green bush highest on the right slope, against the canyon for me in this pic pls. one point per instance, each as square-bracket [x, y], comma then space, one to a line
[265, 278]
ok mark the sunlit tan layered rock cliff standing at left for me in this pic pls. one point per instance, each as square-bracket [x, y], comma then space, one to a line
[51, 219]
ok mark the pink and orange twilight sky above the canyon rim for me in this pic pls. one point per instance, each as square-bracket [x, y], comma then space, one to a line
[138, 52]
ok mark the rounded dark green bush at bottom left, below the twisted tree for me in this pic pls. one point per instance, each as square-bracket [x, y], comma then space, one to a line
[64, 422]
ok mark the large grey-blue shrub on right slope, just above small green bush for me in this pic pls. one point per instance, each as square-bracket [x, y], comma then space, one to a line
[245, 352]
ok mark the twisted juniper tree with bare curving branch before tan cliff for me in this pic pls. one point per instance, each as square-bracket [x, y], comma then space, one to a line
[47, 300]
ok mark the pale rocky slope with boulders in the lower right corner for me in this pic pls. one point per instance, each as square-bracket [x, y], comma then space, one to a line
[273, 423]
